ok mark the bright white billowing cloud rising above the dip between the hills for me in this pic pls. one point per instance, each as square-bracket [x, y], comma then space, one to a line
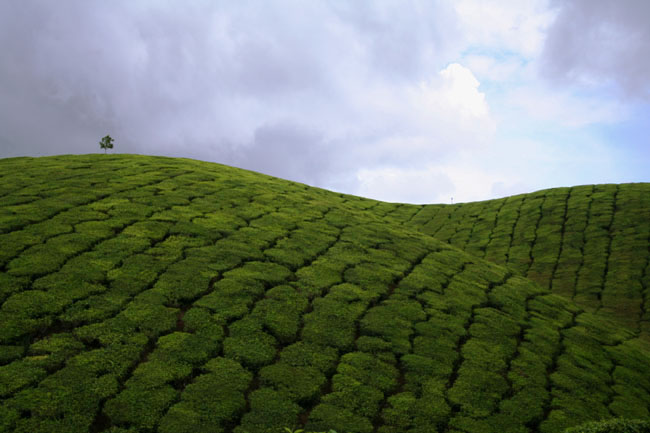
[449, 120]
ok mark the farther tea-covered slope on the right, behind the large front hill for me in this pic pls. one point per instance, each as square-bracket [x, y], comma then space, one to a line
[589, 243]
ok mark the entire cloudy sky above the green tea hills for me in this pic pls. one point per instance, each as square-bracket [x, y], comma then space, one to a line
[403, 101]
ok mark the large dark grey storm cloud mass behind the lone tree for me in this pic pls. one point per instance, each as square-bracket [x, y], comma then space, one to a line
[277, 87]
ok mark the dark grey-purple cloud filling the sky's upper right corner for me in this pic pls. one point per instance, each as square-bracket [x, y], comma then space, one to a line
[600, 43]
